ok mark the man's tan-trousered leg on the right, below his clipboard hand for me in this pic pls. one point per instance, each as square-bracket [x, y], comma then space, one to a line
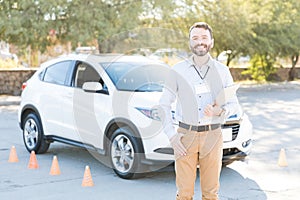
[210, 168]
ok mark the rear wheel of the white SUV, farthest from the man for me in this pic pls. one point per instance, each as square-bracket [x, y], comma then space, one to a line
[33, 135]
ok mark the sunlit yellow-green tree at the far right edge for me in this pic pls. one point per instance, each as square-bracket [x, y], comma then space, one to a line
[275, 32]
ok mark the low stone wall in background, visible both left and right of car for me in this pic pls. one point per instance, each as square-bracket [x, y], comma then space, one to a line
[11, 80]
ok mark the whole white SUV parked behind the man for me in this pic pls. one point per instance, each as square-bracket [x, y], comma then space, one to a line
[107, 103]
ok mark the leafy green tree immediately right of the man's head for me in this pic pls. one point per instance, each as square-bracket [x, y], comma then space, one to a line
[230, 21]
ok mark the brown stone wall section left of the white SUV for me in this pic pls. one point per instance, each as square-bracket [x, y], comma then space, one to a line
[11, 80]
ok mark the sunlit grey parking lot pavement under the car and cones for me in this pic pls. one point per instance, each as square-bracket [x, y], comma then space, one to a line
[272, 108]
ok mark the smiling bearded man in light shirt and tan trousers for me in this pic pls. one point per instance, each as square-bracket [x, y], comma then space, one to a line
[194, 84]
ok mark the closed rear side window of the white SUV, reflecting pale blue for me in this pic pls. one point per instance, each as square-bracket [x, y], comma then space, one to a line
[57, 73]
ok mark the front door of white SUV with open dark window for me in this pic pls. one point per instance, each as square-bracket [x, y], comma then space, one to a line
[81, 116]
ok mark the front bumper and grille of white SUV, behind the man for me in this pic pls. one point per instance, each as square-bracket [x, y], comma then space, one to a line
[237, 147]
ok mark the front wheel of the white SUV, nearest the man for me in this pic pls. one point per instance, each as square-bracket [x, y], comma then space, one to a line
[125, 152]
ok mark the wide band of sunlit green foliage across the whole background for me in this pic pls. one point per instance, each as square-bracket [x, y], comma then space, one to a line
[263, 30]
